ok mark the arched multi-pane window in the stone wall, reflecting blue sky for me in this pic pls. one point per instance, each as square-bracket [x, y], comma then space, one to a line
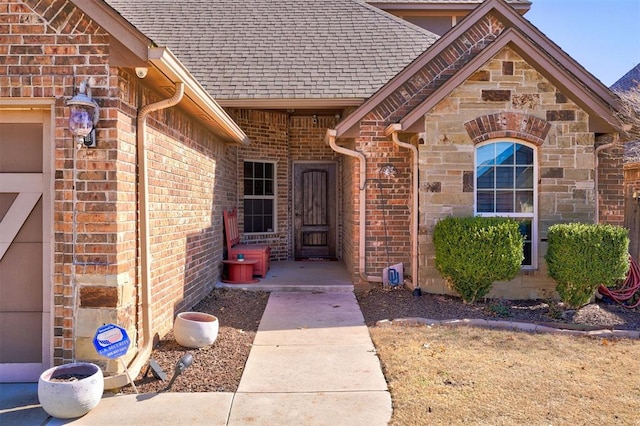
[506, 176]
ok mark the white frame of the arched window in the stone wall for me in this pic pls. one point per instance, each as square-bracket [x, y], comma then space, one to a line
[533, 216]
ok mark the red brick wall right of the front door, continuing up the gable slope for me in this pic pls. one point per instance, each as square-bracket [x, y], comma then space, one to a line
[394, 198]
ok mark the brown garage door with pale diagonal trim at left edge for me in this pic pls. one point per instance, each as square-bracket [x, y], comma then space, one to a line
[24, 245]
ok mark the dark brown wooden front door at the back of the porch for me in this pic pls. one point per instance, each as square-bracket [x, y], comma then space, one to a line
[314, 210]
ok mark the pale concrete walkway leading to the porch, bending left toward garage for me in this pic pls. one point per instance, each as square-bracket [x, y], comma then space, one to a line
[312, 363]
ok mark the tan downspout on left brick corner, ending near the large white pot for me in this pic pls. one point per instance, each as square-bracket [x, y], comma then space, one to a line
[143, 354]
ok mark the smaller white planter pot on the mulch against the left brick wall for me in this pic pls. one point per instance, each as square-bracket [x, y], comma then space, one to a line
[195, 329]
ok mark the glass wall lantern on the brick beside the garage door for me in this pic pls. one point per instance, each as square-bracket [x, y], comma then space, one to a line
[84, 115]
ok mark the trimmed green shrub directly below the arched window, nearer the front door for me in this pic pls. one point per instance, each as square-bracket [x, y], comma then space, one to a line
[473, 252]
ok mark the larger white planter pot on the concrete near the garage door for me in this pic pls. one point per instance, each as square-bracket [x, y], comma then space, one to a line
[66, 398]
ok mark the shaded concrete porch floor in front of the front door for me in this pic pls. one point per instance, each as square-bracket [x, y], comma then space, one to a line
[289, 275]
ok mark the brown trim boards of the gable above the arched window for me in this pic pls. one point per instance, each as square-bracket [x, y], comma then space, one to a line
[558, 67]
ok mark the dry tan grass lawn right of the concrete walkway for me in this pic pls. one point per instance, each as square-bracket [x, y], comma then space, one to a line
[463, 375]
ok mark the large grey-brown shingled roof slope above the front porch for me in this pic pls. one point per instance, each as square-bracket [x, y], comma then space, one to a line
[281, 49]
